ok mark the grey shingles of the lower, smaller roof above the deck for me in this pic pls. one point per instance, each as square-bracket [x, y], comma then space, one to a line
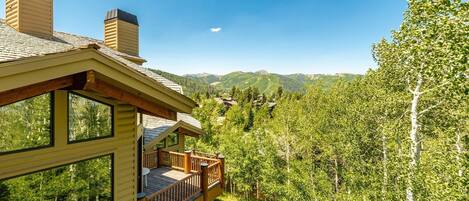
[155, 126]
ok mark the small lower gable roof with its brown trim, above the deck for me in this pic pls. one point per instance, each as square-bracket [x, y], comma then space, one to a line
[156, 129]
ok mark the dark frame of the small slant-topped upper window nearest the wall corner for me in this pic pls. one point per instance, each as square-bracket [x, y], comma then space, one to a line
[92, 99]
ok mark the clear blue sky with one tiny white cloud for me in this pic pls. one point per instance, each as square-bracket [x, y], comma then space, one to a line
[221, 36]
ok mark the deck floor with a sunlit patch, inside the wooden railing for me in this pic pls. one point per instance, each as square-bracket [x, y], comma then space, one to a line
[160, 178]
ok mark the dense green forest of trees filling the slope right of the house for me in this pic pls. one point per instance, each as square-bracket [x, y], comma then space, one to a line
[400, 132]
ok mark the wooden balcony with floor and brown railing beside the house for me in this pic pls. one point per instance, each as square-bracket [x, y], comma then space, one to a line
[183, 176]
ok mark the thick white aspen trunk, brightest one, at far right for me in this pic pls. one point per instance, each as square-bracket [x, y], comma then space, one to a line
[414, 138]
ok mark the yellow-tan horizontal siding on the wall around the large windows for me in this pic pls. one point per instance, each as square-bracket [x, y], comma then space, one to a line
[122, 145]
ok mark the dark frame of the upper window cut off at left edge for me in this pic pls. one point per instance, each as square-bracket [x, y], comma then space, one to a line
[51, 123]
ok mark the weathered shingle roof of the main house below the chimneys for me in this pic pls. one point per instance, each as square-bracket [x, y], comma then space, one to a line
[15, 45]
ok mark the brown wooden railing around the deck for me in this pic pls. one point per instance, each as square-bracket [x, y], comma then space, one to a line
[204, 172]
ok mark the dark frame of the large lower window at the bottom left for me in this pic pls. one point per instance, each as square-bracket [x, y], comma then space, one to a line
[111, 155]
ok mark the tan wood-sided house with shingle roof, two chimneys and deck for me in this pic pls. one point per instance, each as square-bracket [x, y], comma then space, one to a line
[67, 101]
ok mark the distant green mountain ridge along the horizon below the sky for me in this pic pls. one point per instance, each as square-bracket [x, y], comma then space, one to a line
[266, 82]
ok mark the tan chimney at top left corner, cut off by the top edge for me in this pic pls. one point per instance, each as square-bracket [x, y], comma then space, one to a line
[34, 17]
